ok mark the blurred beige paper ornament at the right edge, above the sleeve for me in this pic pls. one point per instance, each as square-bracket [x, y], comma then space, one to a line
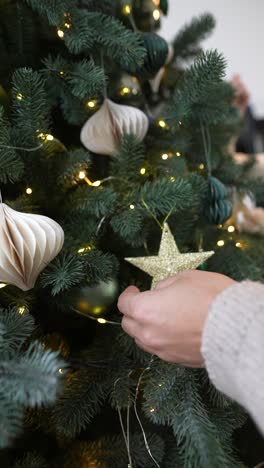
[248, 217]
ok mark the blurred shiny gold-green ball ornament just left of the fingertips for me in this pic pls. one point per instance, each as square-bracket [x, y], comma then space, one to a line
[95, 300]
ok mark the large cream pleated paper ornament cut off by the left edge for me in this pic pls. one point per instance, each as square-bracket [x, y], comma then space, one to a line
[28, 242]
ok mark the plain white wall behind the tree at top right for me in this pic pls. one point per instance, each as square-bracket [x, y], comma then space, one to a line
[239, 35]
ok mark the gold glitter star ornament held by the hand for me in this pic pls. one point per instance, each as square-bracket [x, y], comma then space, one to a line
[169, 261]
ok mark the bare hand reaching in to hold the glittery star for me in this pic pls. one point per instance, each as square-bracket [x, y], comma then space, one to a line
[169, 320]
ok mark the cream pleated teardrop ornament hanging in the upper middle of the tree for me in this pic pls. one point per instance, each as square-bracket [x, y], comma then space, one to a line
[101, 132]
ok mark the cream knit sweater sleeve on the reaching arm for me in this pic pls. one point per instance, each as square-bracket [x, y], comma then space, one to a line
[233, 346]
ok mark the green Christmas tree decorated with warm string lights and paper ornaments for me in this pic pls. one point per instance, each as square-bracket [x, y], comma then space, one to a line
[115, 134]
